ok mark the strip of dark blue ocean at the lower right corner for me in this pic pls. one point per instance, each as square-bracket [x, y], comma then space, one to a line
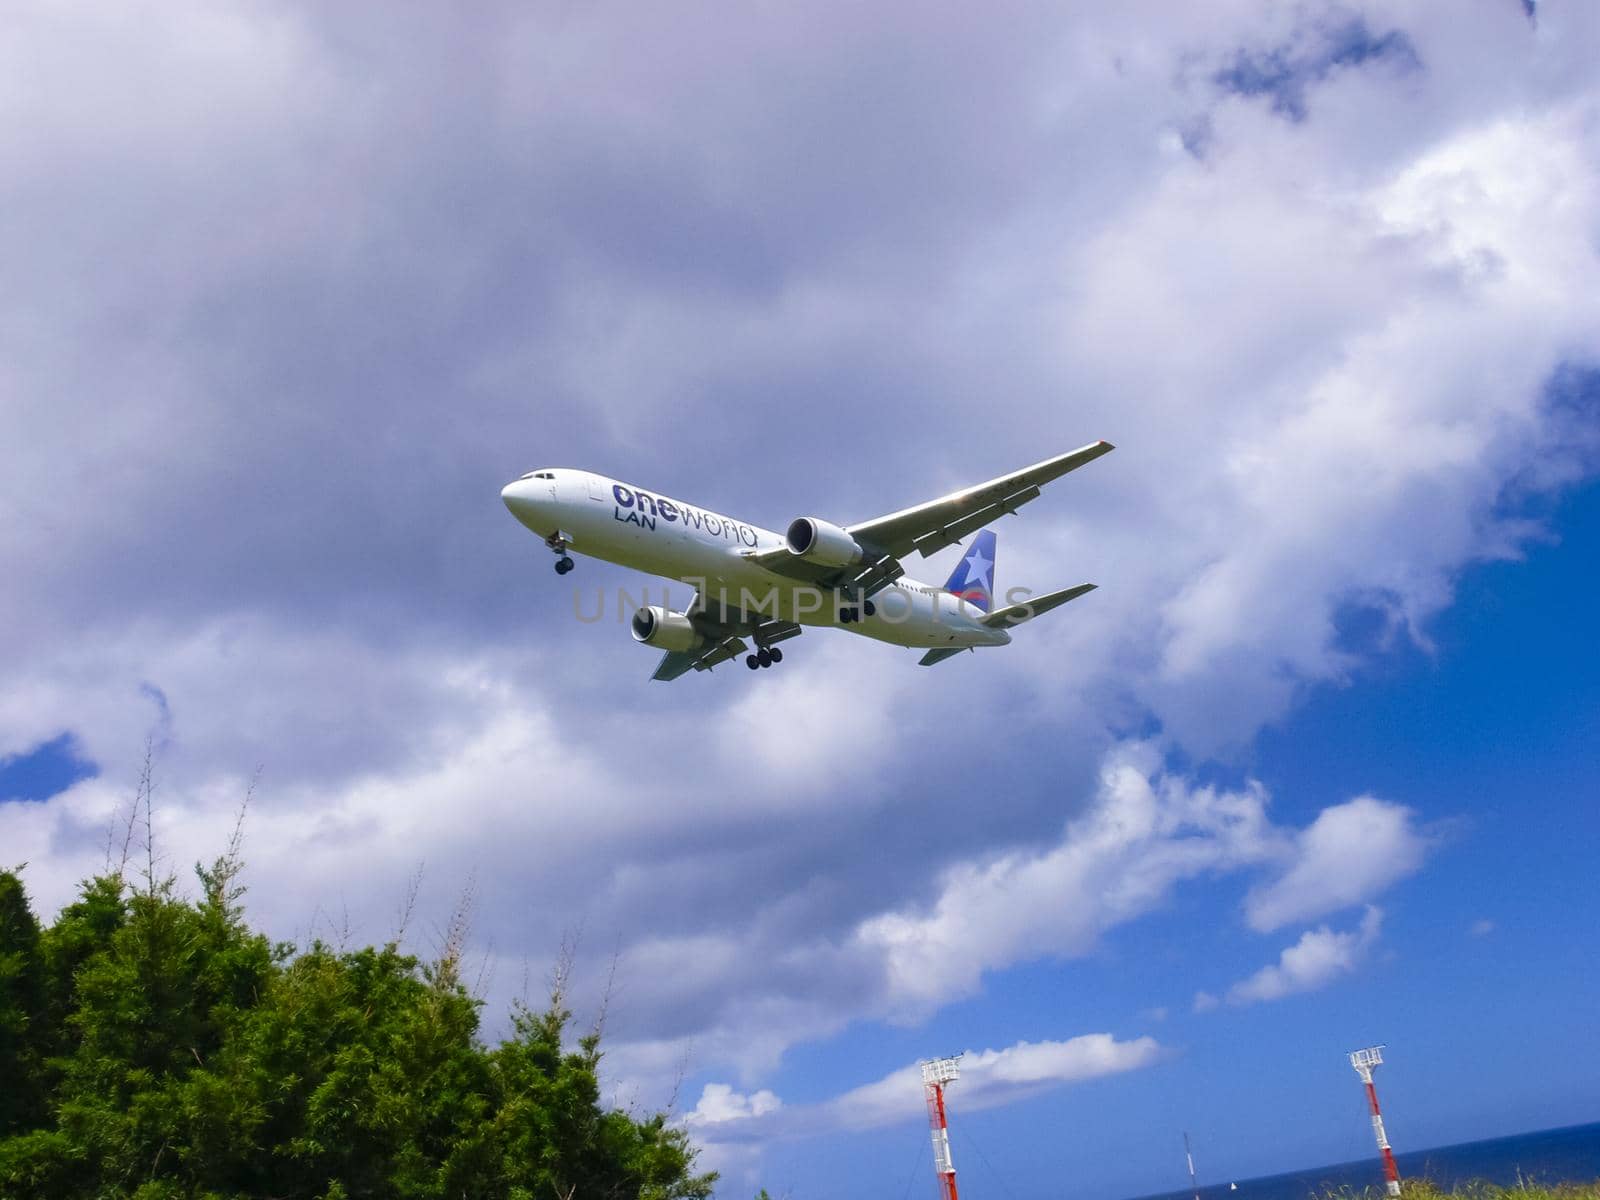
[1548, 1156]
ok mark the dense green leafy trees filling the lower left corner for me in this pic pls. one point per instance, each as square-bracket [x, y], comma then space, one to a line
[174, 1052]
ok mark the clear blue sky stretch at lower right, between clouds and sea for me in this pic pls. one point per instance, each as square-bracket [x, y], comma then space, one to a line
[1489, 1030]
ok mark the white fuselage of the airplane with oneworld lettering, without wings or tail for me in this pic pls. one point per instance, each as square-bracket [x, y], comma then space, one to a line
[634, 527]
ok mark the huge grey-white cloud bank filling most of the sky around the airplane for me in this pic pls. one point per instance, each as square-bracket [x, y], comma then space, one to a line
[1324, 350]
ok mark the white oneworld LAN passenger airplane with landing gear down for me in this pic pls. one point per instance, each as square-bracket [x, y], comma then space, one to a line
[769, 588]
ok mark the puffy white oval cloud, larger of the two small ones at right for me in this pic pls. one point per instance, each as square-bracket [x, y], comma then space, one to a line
[1350, 855]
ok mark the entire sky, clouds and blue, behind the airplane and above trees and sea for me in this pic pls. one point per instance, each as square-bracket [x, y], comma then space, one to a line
[1311, 769]
